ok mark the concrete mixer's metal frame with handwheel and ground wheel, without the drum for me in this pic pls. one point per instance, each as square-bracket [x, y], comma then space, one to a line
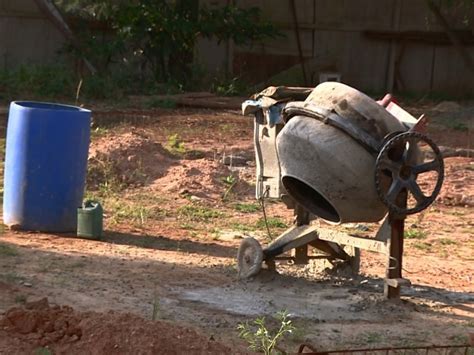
[332, 243]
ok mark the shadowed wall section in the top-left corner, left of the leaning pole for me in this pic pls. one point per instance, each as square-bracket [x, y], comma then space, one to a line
[26, 35]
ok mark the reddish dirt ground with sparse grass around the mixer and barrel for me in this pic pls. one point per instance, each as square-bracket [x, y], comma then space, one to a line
[178, 191]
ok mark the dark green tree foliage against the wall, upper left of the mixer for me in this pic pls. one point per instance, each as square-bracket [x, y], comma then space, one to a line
[159, 36]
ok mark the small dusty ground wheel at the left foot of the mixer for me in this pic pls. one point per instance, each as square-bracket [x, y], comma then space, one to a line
[249, 258]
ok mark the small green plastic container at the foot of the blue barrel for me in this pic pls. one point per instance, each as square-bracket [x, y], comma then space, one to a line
[90, 220]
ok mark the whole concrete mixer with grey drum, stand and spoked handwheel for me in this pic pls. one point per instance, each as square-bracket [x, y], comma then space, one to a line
[335, 154]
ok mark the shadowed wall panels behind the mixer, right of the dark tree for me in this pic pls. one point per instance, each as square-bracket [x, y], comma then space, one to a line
[333, 39]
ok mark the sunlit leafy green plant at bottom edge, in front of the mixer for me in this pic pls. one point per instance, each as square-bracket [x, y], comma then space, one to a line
[262, 339]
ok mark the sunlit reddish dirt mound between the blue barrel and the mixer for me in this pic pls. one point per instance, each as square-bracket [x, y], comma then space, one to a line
[134, 159]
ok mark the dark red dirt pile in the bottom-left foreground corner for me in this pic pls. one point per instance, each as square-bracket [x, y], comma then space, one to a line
[62, 330]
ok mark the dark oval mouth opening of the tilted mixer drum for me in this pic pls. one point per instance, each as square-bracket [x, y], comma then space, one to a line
[310, 199]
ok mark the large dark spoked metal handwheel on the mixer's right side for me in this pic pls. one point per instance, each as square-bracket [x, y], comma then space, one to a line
[397, 159]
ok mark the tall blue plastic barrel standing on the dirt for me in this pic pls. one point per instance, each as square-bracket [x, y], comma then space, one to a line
[45, 165]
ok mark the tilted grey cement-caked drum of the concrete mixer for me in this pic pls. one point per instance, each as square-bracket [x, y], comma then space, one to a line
[325, 169]
